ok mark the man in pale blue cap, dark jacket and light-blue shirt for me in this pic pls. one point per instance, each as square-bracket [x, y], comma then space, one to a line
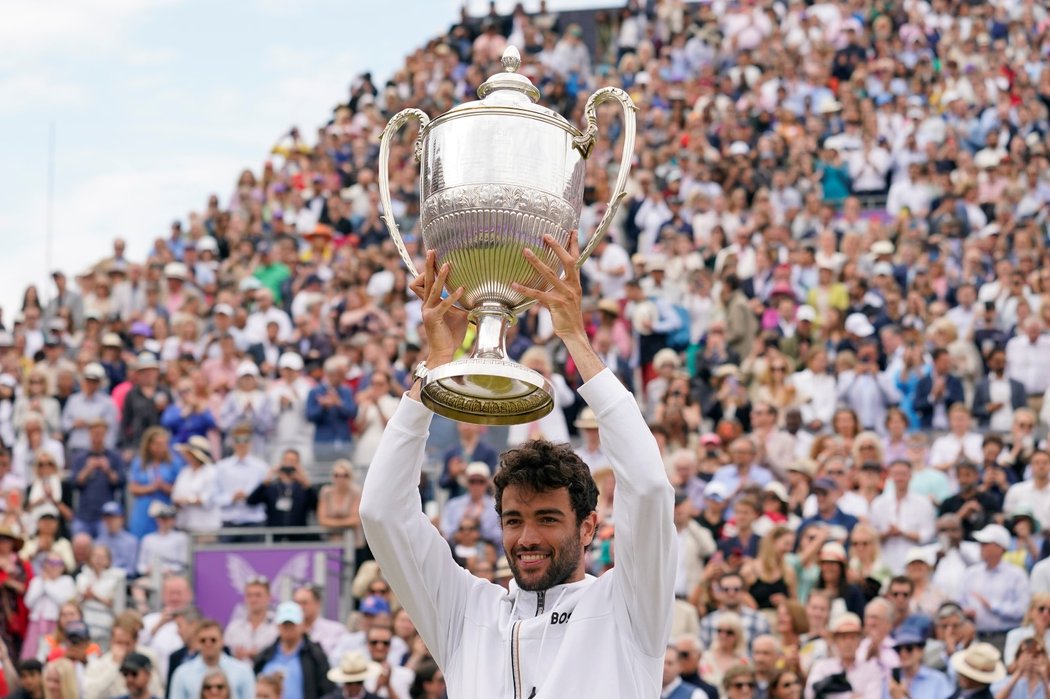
[295, 655]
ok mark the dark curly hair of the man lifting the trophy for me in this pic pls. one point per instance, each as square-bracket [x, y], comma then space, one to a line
[541, 467]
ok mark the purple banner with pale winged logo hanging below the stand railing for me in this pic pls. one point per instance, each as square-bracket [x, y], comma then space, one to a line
[220, 576]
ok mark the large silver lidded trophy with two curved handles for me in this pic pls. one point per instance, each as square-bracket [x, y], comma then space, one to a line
[498, 175]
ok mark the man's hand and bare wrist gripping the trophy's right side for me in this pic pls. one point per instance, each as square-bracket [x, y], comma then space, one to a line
[565, 303]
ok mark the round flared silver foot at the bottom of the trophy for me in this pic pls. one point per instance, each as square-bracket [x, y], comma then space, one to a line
[488, 392]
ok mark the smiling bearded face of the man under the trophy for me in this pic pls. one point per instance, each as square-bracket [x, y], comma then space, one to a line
[542, 538]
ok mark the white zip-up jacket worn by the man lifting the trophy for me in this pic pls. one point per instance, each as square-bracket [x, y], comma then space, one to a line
[599, 638]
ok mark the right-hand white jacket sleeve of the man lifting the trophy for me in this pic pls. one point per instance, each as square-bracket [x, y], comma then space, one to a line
[646, 544]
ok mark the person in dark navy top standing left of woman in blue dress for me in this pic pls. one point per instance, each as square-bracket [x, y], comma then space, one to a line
[98, 474]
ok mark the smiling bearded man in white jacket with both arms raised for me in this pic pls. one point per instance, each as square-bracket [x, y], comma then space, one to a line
[540, 639]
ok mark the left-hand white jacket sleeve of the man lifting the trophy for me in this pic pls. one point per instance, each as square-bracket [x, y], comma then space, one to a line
[412, 554]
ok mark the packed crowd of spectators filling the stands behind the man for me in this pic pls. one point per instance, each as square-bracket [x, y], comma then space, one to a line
[829, 288]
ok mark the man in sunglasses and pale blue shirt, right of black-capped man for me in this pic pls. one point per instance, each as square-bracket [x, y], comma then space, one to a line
[192, 680]
